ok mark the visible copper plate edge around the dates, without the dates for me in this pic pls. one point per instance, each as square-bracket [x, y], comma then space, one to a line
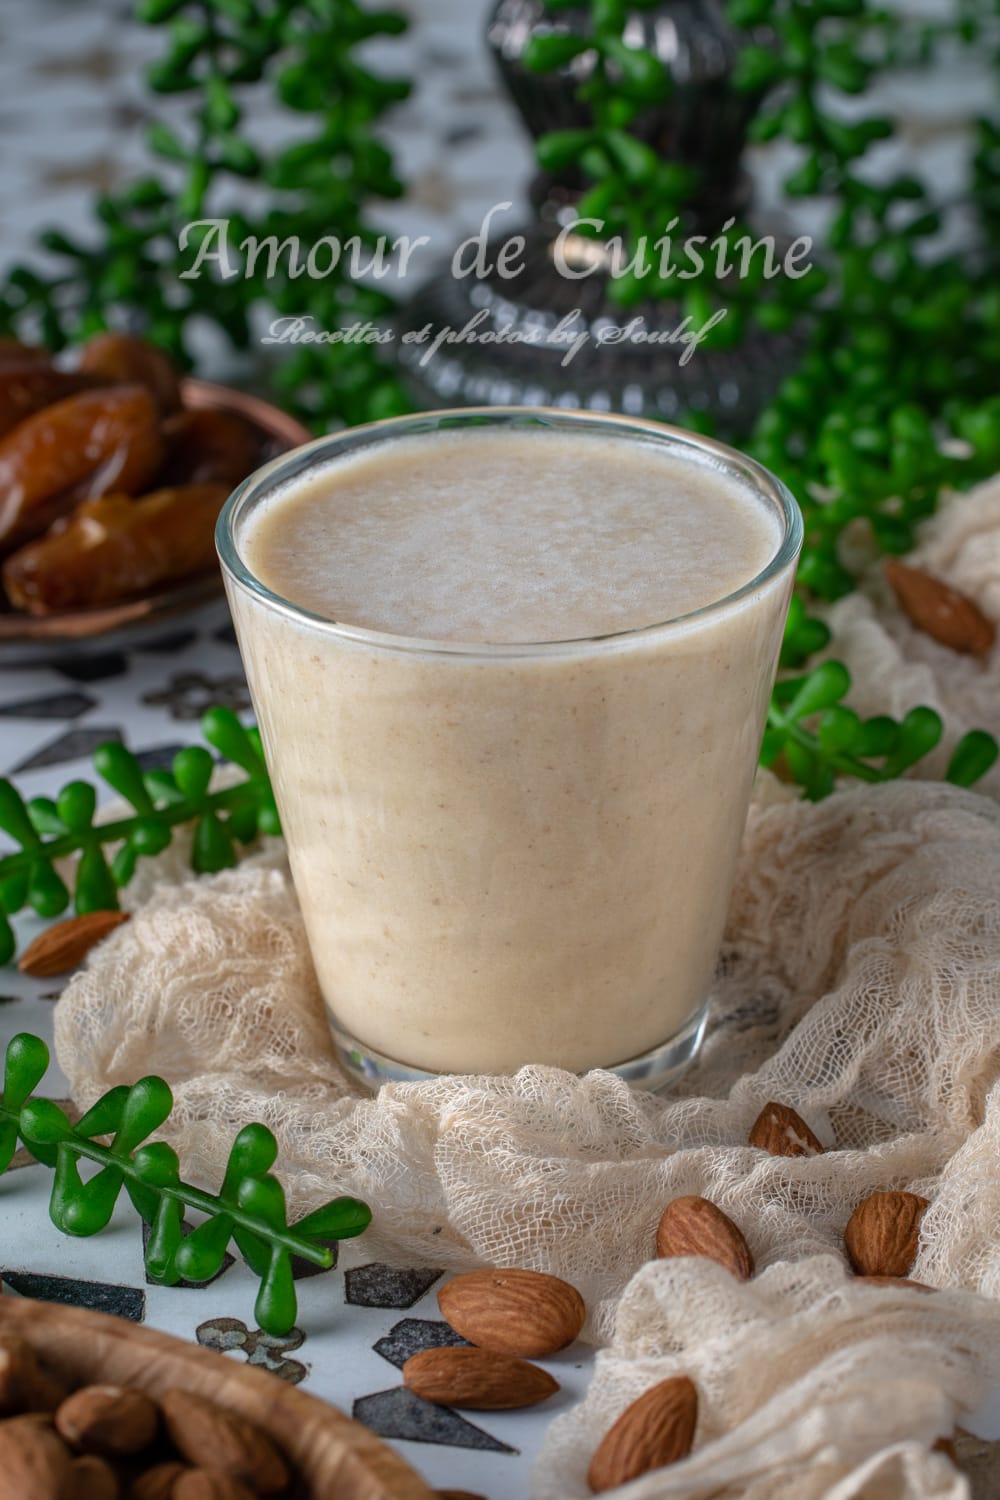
[38, 638]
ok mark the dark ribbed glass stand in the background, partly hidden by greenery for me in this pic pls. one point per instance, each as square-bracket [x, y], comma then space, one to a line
[537, 316]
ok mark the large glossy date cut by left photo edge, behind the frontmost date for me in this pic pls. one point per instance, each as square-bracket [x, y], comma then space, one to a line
[83, 446]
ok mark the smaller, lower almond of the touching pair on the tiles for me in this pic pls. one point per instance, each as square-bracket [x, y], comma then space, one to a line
[478, 1379]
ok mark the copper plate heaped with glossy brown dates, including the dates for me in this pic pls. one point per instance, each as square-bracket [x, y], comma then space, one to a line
[112, 479]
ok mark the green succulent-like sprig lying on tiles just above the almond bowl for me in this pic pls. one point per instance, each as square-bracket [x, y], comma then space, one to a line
[248, 1211]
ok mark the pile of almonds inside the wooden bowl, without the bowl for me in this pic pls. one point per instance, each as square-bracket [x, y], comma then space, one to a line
[119, 1444]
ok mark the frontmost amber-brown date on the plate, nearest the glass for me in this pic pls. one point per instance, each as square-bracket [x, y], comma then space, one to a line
[113, 548]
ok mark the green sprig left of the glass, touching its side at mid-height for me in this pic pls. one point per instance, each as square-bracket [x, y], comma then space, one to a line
[52, 830]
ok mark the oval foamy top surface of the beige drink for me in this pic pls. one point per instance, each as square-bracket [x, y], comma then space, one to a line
[488, 538]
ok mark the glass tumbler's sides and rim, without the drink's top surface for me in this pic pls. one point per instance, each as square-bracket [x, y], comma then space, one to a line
[513, 854]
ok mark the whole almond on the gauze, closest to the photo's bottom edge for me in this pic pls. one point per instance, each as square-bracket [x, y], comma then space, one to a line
[656, 1430]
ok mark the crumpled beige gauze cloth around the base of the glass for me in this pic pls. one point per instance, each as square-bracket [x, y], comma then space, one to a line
[860, 983]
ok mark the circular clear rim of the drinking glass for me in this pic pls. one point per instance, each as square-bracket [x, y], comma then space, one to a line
[708, 452]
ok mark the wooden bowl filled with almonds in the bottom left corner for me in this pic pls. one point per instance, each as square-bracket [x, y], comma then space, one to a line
[128, 1412]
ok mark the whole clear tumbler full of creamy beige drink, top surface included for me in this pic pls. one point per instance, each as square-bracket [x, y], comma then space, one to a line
[513, 797]
